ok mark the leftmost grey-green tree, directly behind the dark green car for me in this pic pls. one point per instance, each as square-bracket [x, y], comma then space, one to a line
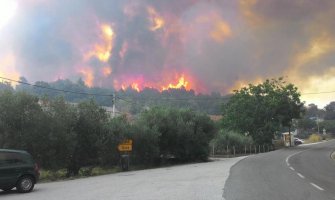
[23, 124]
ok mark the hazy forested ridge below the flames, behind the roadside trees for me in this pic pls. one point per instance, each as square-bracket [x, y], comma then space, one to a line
[128, 100]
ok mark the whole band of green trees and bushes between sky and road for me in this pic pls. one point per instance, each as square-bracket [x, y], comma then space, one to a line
[81, 138]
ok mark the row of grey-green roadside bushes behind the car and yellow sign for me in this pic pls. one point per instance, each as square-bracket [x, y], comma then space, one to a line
[82, 137]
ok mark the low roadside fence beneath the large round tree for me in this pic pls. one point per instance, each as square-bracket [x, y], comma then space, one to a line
[234, 151]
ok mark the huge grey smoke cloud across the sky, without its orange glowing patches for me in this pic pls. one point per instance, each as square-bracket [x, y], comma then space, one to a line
[49, 38]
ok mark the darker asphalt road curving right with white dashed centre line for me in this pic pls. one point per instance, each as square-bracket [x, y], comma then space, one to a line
[304, 172]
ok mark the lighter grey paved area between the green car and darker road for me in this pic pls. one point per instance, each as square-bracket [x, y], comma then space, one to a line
[194, 181]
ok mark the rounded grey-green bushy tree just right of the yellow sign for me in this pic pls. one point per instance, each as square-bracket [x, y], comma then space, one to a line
[182, 134]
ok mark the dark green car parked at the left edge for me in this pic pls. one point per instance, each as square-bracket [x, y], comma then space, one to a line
[17, 169]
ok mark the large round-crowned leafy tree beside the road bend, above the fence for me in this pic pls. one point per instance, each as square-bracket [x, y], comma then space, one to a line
[260, 110]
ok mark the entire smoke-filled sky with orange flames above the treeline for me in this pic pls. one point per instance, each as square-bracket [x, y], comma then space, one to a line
[204, 45]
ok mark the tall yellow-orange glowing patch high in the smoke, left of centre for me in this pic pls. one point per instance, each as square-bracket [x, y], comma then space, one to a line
[102, 51]
